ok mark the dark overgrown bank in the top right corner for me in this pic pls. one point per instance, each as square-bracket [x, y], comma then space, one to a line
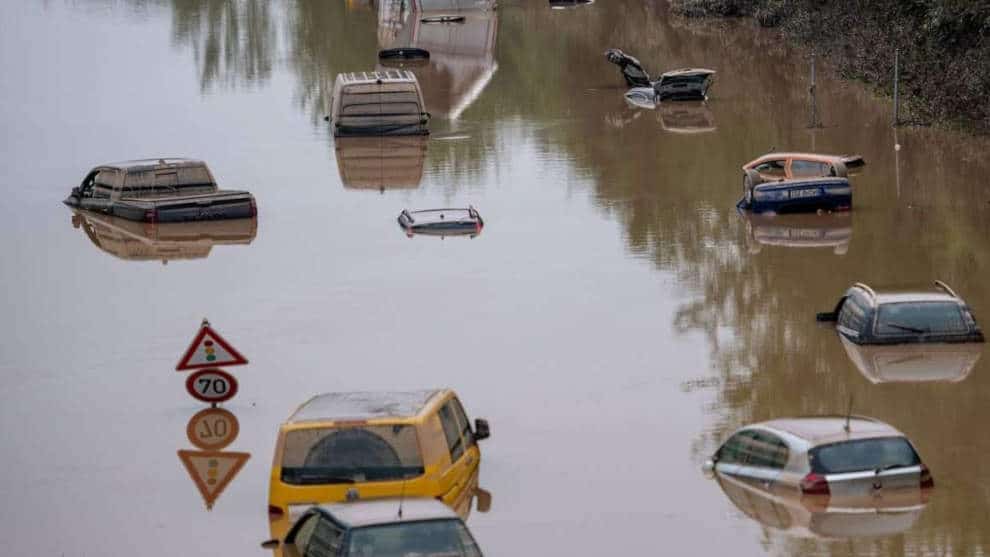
[944, 47]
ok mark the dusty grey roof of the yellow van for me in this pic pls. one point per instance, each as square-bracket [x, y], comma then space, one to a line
[363, 405]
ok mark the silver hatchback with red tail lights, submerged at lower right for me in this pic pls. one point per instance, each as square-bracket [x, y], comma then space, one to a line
[823, 461]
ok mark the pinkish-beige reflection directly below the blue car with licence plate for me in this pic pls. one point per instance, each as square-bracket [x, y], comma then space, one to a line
[832, 230]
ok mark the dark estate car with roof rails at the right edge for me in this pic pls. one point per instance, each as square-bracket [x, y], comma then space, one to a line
[891, 316]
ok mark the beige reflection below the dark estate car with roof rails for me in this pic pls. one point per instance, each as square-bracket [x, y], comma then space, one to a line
[914, 363]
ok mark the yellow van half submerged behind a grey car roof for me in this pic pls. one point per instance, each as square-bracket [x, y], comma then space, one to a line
[350, 446]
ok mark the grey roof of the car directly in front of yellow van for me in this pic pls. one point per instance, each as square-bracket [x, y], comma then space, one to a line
[386, 511]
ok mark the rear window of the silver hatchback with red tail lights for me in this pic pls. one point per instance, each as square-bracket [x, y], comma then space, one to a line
[882, 453]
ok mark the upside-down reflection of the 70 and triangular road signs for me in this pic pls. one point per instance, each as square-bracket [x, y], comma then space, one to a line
[210, 468]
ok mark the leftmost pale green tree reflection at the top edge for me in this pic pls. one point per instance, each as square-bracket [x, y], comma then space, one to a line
[233, 41]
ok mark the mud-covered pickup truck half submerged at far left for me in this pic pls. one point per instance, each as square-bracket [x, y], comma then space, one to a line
[159, 190]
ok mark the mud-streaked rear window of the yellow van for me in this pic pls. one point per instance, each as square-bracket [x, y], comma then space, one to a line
[328, 455]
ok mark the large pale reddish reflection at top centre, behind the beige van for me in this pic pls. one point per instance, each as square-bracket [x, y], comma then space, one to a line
[462, 55]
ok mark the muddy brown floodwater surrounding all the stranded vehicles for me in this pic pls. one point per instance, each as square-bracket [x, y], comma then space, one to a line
[614, 321]
